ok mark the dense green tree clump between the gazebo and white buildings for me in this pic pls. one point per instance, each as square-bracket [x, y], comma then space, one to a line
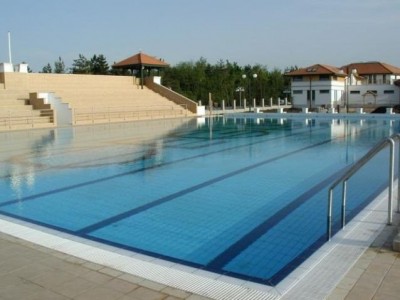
[226, 81]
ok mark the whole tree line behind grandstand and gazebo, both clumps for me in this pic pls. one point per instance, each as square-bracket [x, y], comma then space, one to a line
[225, 80]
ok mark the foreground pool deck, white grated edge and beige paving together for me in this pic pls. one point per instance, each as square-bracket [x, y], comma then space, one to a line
[45, 265]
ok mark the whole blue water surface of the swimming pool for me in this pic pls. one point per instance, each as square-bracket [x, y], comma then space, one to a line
[241, 197]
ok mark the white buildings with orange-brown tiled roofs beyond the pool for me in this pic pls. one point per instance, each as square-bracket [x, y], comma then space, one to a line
[369, 84]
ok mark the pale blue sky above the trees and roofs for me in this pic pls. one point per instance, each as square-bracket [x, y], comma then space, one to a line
[272, 33]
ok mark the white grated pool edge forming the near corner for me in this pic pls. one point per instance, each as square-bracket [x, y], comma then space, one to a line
[314, 279]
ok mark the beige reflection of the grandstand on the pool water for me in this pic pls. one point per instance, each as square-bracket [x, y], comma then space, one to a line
[25, 154]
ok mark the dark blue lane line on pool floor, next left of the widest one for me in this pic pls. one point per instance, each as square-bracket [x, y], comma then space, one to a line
[129, 213]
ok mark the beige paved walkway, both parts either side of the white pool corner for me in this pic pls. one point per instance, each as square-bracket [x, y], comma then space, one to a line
[29, 272]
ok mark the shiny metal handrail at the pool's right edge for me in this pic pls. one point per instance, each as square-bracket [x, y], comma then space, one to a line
[343, 179]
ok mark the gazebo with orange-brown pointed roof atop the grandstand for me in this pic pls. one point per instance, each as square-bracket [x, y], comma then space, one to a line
[141, 62]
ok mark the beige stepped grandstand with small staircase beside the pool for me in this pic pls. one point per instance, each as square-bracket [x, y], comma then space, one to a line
[32, 100]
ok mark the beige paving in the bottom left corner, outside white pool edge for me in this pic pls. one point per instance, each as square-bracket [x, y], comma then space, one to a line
[32, 272]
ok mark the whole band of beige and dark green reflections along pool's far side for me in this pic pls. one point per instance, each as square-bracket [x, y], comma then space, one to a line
[141, 144]
